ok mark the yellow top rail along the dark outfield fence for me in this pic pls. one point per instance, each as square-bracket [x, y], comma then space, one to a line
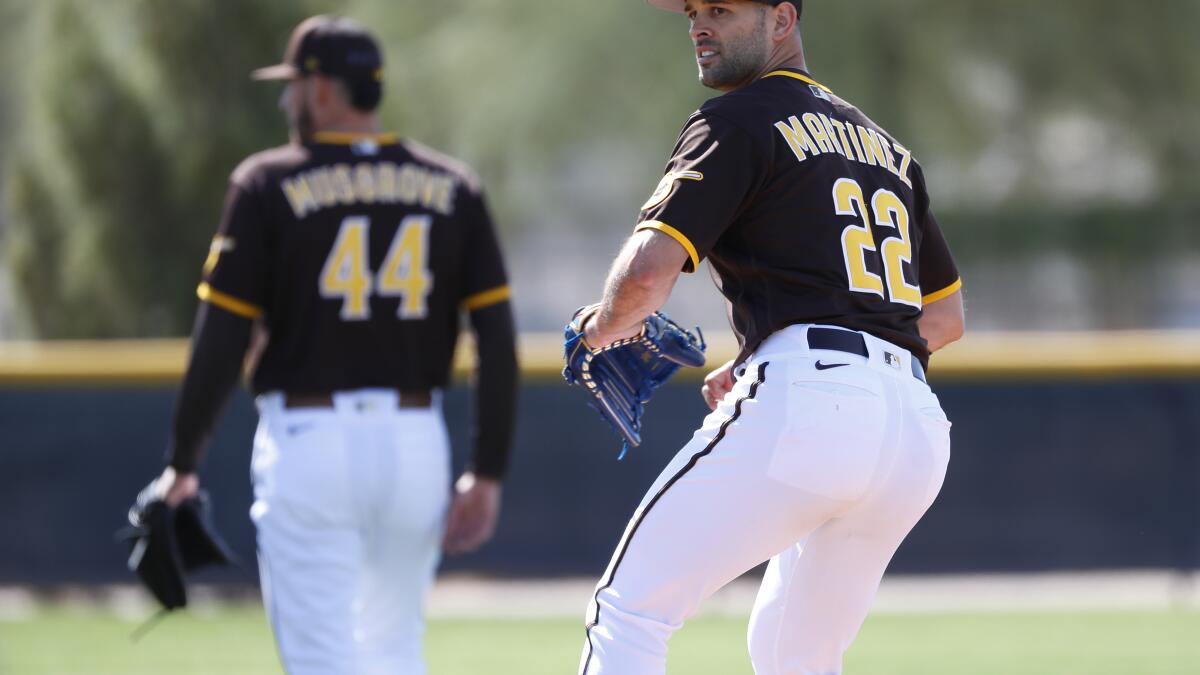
[1139, 354]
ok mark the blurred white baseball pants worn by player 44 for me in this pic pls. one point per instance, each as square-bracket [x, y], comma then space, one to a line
[350, 505]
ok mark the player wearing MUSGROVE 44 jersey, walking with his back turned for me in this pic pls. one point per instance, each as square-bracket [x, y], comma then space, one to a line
[356, 253]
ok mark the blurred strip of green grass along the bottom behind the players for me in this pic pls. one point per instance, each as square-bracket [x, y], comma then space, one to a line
[237, 641]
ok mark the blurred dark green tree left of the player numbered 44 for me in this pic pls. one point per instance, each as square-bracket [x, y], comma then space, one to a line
[128, 136]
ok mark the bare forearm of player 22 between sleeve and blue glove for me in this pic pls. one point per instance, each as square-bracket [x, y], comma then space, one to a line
[639, 285]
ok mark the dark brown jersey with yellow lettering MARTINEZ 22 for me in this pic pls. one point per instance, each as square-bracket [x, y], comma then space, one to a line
[807, 211]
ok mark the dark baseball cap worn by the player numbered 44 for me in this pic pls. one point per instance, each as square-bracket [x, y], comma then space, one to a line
[331, 46]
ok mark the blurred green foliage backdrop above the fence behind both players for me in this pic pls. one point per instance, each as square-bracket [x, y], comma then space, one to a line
[1041, 126]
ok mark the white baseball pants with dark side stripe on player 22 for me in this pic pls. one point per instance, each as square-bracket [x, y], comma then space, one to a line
[821, 471]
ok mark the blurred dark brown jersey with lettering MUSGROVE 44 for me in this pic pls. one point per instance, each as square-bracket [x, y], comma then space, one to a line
[358, 254]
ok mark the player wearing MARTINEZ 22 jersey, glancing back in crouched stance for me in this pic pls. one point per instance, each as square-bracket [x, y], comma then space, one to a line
[825, 445]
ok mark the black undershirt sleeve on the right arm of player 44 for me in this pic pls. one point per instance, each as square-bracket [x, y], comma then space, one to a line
[495, 391]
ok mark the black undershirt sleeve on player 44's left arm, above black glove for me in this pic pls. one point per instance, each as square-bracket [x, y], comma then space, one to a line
[219, 348]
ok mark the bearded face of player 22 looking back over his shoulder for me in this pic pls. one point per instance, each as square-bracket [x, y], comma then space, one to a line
[731, 41]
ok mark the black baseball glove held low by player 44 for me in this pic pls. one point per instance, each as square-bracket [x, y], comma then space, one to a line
[166, 543]
